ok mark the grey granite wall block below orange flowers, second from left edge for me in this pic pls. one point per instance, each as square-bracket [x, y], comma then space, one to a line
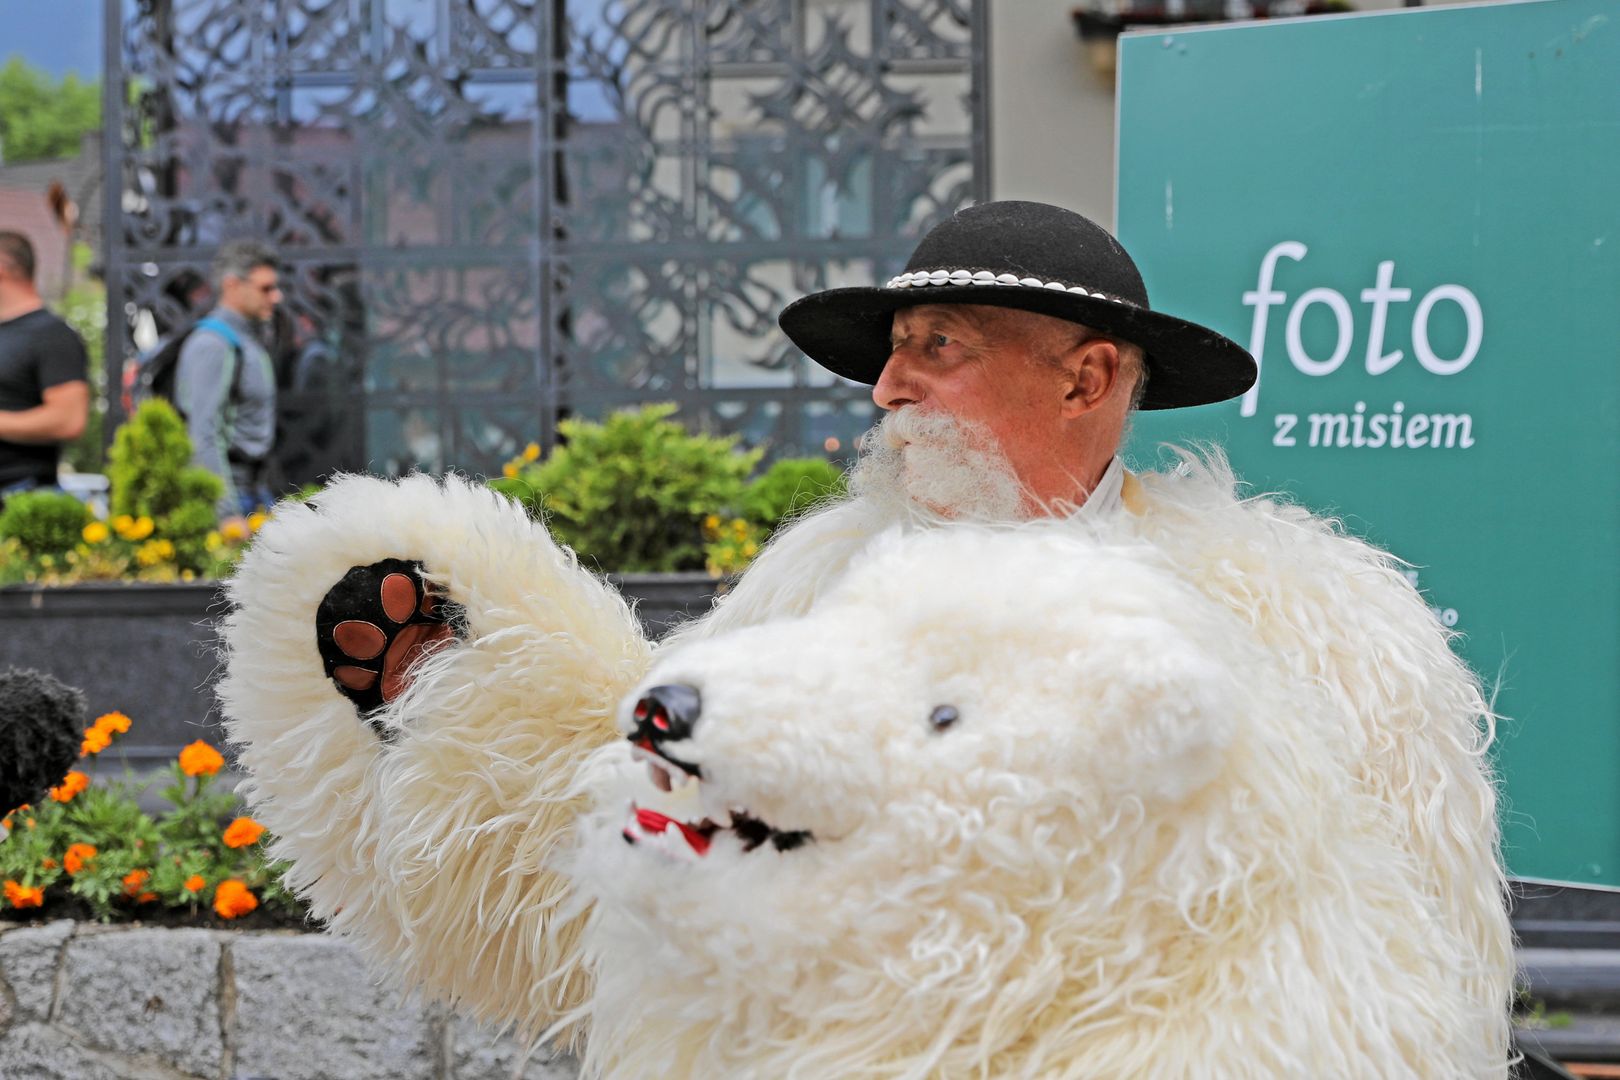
[147, 992]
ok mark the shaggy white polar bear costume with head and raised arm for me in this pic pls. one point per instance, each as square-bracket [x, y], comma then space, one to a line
[1192, 791]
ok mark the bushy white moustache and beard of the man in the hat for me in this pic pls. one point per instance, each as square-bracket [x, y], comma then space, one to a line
[929, 466]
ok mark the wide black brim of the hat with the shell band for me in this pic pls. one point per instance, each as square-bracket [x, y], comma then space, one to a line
[848, 333]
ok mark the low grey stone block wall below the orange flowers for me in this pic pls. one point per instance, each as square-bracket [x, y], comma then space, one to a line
[113, 1003]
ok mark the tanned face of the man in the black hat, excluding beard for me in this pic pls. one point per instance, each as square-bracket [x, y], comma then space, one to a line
[989, 368]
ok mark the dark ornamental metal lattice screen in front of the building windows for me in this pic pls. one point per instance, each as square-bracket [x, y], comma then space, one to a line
[498, 213]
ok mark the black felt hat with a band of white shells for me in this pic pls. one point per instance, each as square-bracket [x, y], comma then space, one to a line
[1034, 258]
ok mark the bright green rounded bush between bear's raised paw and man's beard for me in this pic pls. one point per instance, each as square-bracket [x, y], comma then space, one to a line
[633, 493]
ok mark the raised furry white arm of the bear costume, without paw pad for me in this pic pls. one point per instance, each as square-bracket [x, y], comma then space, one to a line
[432, 853]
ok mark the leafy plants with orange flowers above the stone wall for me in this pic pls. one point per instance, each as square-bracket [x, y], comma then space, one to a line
[137, 859]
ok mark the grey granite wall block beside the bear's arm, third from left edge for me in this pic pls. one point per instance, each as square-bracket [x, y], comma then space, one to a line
[307, 1011]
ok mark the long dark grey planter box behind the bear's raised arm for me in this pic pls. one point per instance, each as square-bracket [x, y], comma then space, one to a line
[151, 650]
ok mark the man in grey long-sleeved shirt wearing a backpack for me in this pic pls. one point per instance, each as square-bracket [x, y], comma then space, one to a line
[224, 383]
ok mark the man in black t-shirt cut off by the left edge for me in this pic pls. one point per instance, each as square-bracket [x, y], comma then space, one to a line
[45, 389]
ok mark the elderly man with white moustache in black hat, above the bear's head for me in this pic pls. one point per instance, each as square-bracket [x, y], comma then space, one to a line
[1008, 355]
